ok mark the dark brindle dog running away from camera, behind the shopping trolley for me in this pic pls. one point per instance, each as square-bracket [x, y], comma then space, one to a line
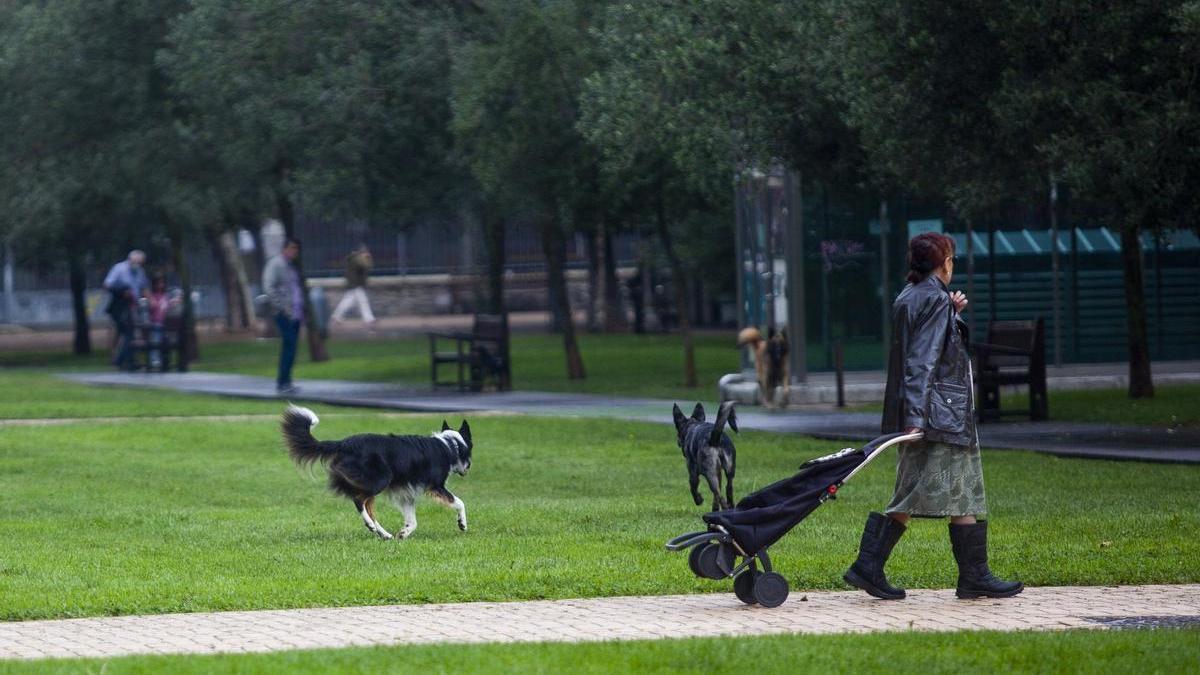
[709, 451]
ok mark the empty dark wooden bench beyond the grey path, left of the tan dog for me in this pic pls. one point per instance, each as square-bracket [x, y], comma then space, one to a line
[481, 356]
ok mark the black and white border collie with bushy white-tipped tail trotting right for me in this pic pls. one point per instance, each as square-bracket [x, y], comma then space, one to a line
[368, 465]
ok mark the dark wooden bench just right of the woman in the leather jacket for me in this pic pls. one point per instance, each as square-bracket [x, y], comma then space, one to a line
[1013, 355]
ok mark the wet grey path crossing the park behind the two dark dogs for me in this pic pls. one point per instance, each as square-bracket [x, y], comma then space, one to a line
[1065, 439]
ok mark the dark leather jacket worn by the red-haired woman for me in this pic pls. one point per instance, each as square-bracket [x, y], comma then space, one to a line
[929, 367]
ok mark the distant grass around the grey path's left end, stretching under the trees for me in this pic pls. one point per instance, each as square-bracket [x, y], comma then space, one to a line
[639, 366]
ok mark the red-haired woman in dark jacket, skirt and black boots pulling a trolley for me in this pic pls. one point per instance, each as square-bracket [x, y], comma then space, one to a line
[931, 390]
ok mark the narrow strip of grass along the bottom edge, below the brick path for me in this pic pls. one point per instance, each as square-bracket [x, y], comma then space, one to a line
[1075, 652]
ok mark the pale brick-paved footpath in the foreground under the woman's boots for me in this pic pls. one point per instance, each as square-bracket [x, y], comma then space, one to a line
[599, 619]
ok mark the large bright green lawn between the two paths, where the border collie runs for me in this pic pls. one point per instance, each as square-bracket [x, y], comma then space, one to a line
[171, 516]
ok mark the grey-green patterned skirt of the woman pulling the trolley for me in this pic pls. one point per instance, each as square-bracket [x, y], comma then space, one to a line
[939, 480]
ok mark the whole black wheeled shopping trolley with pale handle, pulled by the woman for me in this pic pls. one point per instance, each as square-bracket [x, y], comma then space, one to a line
[764, 518]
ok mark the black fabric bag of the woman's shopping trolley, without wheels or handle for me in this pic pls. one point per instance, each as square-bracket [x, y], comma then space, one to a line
[763, 518]
